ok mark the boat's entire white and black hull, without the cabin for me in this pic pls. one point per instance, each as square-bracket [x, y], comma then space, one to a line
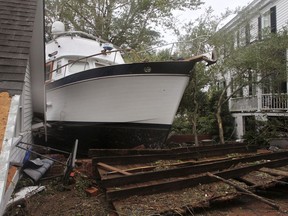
[117, 106]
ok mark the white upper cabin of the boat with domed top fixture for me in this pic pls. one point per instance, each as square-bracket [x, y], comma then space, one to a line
[72, 52]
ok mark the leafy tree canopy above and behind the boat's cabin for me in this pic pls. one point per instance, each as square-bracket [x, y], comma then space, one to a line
[122, 22]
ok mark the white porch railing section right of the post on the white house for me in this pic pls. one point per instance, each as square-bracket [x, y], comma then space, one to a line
[274, 102]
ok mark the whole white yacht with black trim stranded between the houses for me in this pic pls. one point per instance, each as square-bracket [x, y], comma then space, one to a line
[94, 96]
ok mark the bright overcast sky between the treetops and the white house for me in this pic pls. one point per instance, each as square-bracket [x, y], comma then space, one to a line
[218, 6]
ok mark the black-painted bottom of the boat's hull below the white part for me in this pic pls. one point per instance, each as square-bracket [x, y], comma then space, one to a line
[90, 135]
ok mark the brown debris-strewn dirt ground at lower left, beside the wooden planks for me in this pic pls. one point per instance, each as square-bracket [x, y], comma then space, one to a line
[60, 200]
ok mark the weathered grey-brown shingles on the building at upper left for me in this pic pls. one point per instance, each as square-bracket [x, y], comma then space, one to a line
[16, 28]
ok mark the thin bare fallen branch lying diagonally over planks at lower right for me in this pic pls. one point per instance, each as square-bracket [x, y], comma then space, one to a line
[275, 206]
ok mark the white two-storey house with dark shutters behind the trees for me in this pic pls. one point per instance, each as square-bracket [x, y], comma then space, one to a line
[260, 16]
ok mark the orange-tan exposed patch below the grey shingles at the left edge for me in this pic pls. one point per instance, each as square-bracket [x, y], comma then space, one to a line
[5, 101]
